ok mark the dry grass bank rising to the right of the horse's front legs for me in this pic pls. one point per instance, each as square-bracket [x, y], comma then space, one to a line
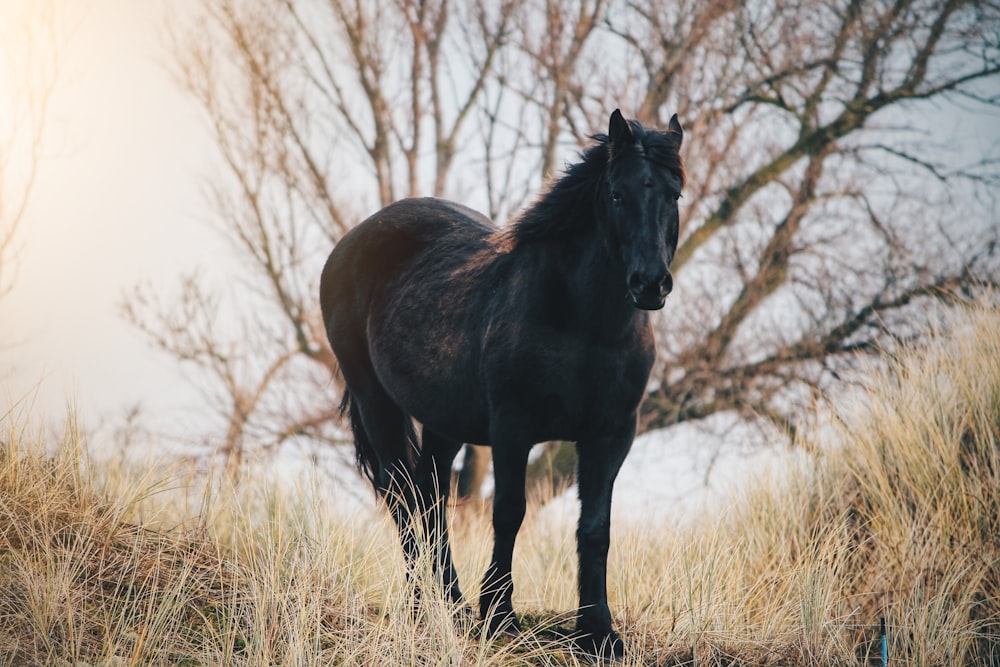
[890, 511]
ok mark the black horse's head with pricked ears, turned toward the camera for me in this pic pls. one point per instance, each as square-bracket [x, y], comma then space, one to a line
[644, 180]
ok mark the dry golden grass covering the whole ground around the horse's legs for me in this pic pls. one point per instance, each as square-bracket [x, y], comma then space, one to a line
[896, 515]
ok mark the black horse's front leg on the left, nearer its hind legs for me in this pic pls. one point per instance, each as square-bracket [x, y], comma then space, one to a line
[510, 462]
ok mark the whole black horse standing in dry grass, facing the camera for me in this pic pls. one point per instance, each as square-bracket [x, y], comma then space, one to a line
[508, 338]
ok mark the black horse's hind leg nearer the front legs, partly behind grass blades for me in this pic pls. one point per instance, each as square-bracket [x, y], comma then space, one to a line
[434, 486]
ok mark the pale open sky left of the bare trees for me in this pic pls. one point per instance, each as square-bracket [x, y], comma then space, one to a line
[118, 201]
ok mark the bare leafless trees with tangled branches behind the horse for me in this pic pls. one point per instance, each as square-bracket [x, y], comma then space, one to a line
[826, 198]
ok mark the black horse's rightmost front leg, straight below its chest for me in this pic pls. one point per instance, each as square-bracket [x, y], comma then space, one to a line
[600, 458]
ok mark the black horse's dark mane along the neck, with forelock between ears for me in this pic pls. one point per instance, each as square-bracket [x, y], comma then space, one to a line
[570, 203]
